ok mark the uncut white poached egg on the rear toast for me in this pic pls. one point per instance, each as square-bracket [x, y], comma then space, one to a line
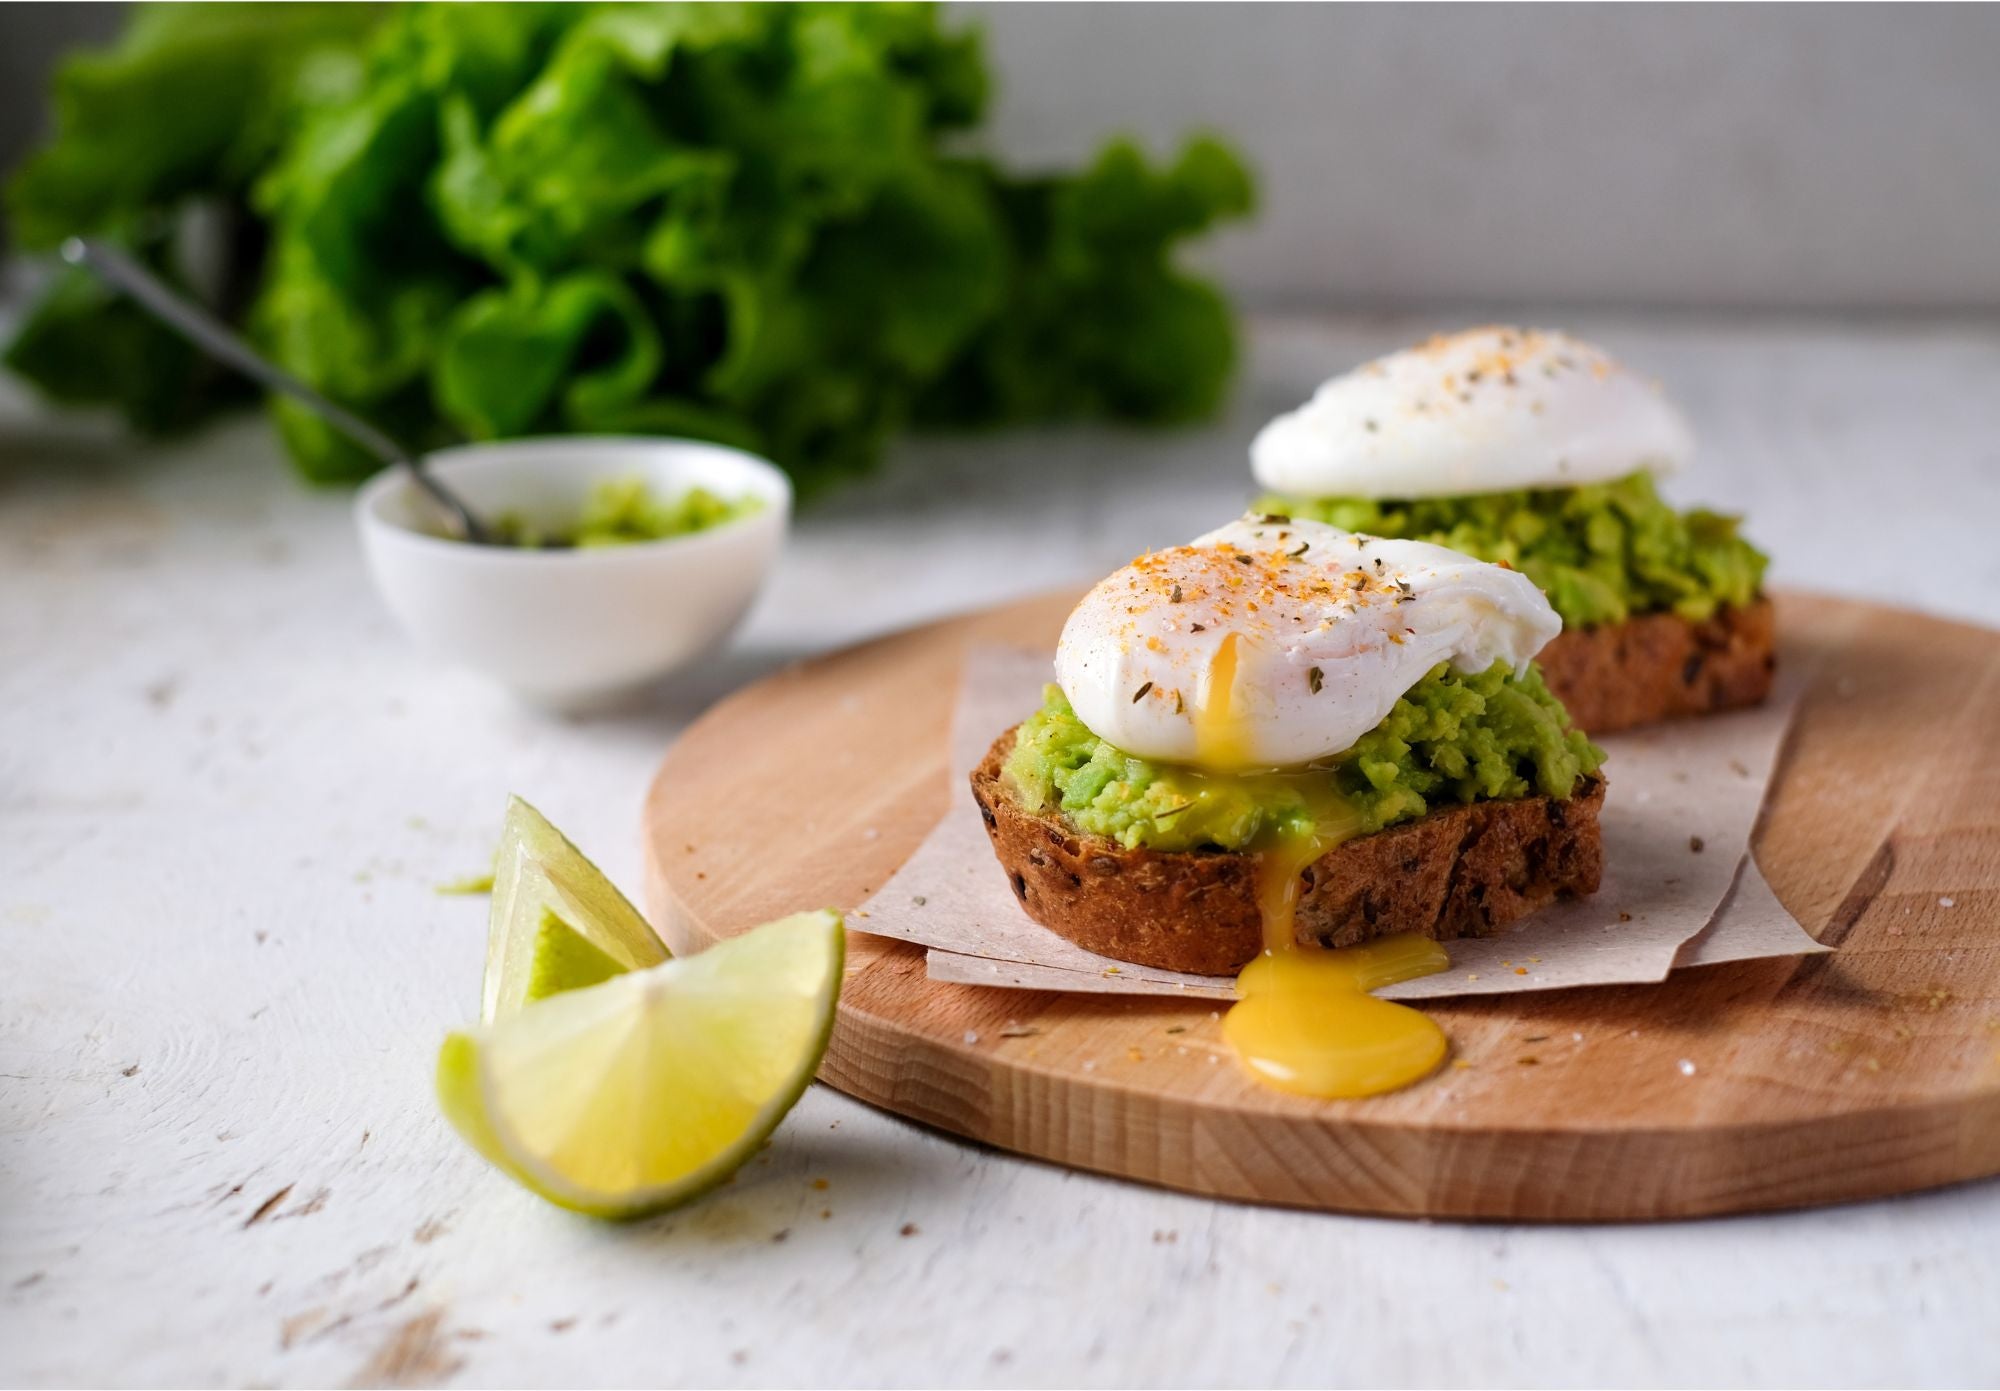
[1483, 411]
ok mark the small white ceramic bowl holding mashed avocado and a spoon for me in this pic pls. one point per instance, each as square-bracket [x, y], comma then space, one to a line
[571, 629]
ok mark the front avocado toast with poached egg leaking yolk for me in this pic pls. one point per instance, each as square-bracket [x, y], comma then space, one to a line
[1285, 736]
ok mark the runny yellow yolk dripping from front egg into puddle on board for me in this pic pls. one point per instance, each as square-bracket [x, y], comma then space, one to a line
[1305, 1020]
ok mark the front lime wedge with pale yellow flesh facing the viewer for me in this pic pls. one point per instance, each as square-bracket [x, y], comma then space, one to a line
[651, 1088]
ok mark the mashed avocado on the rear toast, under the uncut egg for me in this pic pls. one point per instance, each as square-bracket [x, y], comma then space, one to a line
[1601, 553]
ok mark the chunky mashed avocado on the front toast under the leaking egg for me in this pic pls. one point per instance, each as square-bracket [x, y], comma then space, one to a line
[1451, 738]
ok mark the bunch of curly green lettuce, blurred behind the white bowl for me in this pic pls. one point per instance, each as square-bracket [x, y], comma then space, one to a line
[737, 223]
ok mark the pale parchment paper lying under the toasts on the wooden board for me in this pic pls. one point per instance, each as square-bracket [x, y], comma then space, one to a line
[1677, 820]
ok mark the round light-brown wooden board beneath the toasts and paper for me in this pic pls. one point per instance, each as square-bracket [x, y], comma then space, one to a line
[1867, 1072]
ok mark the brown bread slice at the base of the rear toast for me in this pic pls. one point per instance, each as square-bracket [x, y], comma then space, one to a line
[1661, 667]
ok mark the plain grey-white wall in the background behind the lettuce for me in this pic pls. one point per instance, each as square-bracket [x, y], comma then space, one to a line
[1799, 157]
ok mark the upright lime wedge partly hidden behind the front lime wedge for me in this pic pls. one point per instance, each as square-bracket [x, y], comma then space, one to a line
[541, 878]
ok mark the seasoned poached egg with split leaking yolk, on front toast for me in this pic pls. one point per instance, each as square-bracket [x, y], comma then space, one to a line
[1275, 643]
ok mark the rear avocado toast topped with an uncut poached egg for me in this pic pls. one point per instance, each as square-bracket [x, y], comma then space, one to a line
[1541, 453]
